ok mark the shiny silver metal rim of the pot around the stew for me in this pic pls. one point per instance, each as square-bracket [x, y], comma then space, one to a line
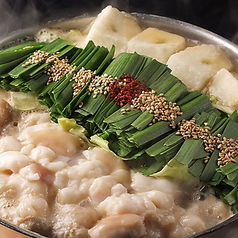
[187, 30]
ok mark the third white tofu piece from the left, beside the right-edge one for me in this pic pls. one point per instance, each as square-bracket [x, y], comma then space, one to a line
[195, 66]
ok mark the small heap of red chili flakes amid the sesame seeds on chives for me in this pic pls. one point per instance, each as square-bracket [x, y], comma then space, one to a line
[126, 89]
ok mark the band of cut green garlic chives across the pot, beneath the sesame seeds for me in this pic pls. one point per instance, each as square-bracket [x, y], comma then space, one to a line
[147, 148]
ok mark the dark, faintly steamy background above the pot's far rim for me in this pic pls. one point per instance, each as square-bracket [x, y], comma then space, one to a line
[219, 16]
